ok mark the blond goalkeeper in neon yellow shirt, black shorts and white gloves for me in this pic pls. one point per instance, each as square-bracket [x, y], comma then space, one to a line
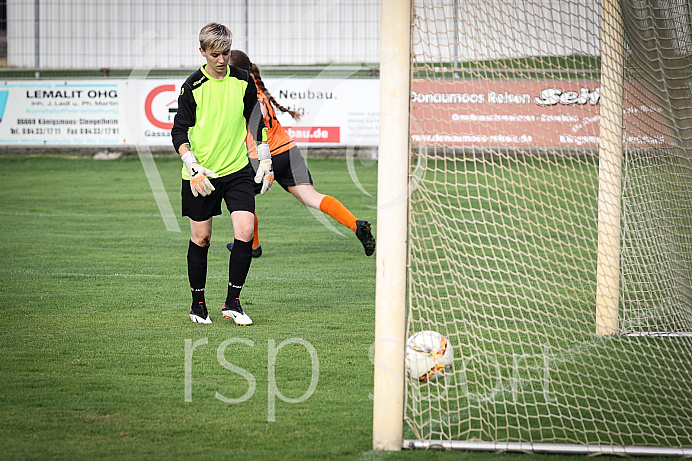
[216, 106]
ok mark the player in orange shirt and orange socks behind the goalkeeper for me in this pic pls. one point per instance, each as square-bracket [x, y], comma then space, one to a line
[289, 166]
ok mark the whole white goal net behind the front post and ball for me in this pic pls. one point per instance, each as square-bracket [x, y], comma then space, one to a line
[550, 224]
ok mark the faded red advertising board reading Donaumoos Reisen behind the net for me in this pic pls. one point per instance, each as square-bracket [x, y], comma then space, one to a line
[509, 114]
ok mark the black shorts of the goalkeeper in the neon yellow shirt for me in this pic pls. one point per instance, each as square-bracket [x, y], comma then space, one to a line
[237, 189]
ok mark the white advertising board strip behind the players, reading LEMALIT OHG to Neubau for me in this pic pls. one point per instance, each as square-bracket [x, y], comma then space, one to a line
[131, 112]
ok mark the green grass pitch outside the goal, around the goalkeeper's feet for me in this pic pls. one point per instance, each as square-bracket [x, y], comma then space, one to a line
[94, 300]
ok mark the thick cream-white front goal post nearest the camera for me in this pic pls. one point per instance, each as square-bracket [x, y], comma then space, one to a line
[392, 202]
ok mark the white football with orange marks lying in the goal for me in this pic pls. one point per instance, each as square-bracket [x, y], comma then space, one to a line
[429, 355]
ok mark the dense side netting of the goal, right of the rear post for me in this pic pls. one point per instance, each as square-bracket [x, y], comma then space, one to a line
[657, 198]
